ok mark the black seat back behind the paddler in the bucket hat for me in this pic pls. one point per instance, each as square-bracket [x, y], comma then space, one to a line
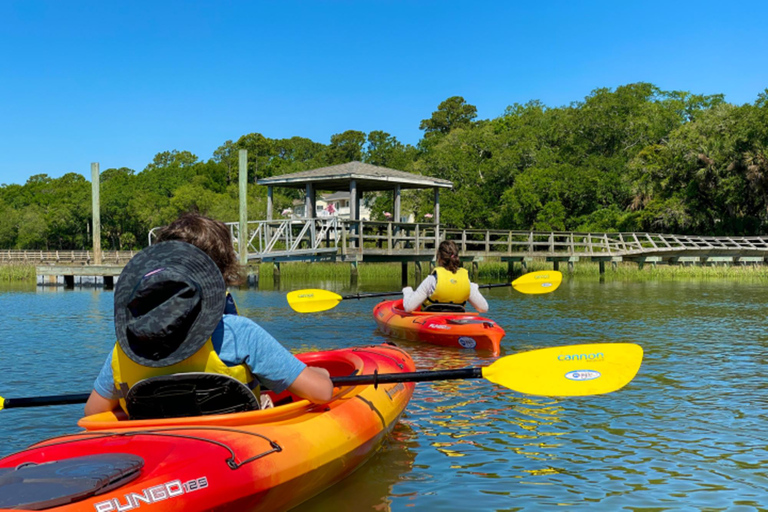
[188, 394]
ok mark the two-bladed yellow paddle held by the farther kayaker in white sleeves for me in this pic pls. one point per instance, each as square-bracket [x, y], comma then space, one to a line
[315, 300]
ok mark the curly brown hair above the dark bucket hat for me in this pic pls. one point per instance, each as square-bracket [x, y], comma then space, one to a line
[210, 236]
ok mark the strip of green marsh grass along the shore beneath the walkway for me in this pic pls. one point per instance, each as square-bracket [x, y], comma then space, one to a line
[487, 271]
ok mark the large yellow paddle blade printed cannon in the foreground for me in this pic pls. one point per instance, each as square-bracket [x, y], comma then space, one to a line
[573, 370]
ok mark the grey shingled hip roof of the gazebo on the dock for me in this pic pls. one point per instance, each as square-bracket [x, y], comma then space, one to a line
[367, 177]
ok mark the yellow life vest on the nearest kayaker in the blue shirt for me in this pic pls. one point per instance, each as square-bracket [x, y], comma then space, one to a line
[126, 372]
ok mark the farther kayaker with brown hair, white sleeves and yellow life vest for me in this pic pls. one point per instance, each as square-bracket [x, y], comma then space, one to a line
[447, 288]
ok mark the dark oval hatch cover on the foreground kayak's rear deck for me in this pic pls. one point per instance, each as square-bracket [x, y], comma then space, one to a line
[31, 486]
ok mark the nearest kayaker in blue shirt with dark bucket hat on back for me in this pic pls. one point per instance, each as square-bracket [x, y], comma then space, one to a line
[171, 318]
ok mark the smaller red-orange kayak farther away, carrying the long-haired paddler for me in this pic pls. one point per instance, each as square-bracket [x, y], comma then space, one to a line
[461, 330]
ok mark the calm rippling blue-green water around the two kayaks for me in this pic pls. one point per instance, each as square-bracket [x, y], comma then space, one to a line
[689, 433]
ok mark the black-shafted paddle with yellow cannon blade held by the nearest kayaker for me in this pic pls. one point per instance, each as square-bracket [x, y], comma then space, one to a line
[572, 370]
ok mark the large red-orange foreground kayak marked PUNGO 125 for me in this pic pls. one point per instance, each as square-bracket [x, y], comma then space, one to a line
[264, 460]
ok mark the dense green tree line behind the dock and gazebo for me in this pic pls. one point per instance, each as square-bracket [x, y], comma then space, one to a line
[634, 158]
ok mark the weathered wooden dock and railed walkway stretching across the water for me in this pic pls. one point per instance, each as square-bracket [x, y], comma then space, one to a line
[354, 242]
